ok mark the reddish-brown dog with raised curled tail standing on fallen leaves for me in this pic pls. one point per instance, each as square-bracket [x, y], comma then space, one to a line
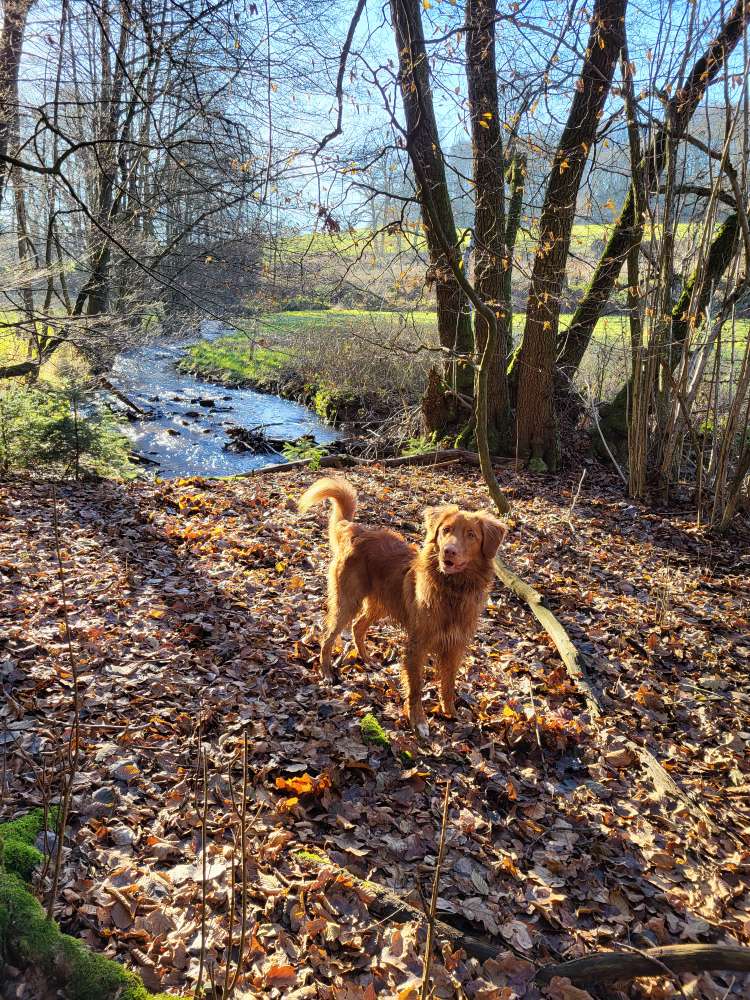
[435, 592]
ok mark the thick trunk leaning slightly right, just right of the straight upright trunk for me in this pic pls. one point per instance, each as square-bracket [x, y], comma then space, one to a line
[536, 419]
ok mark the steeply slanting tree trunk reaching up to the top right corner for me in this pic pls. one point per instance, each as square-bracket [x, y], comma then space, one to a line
[626, 232]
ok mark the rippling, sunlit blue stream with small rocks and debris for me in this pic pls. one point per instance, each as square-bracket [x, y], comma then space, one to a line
[184, 432]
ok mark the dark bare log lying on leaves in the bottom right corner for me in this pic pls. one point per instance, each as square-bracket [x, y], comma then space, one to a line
[611, 966]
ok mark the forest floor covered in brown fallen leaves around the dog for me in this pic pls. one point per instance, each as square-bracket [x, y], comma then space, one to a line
[194, 607]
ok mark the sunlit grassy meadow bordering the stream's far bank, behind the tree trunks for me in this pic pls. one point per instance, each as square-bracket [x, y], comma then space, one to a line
[343, 355]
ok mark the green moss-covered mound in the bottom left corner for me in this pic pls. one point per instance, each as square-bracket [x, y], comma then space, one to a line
[27, 937]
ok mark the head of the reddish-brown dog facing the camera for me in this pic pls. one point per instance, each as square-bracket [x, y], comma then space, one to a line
[462, 539]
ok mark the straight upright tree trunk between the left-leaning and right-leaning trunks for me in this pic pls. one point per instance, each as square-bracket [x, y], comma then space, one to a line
[491, 259]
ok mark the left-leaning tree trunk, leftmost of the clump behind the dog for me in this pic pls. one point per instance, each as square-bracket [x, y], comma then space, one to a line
[423, 146]
